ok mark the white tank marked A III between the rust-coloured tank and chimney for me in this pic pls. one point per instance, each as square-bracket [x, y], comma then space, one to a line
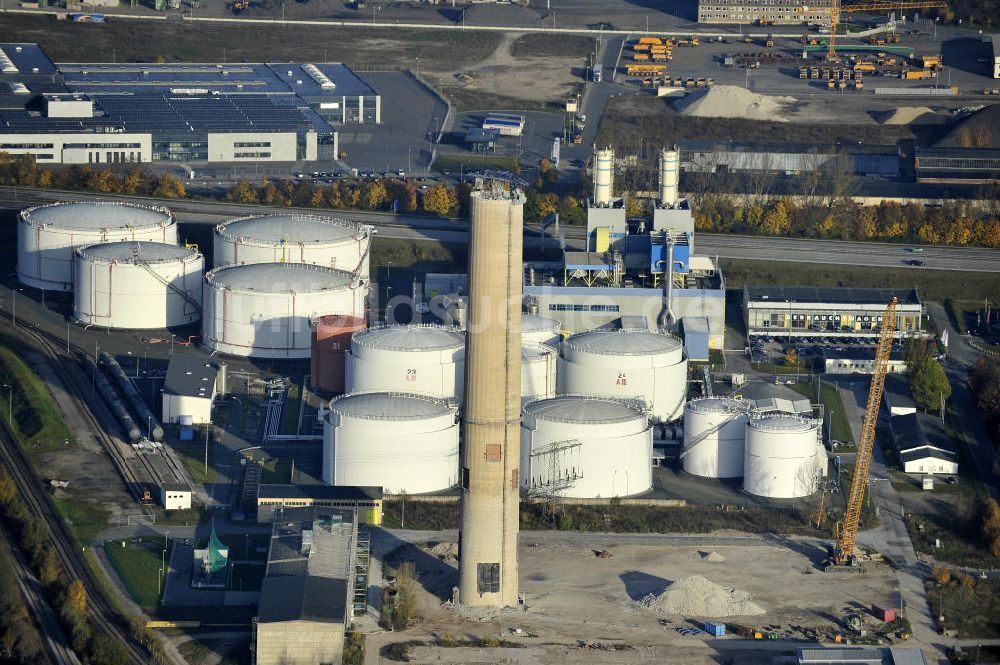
[421, 359]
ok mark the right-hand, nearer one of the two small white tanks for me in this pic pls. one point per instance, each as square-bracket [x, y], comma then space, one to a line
[780, 459]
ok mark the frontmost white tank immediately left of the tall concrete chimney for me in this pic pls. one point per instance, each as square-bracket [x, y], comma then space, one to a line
[397, 441]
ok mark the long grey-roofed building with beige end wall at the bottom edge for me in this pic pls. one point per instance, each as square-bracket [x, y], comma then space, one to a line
[308, 586]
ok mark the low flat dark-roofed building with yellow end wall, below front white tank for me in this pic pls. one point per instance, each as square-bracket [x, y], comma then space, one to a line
[365, 501]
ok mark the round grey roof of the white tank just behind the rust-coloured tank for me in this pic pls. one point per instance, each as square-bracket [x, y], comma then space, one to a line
[280, 277]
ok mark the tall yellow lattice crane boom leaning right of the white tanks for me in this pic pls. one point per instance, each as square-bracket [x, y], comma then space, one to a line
[843, 554]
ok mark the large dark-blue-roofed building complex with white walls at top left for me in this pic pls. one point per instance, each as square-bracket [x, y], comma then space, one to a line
[104, 113]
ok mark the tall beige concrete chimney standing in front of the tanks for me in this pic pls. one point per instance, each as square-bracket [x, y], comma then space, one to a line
[492, 415]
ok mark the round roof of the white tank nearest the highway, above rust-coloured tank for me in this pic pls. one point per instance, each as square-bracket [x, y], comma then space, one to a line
[292, 228]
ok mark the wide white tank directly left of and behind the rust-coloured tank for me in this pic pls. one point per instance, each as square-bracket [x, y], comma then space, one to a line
[264, 310]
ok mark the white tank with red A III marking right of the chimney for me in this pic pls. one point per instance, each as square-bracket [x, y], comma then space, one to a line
[627, 363]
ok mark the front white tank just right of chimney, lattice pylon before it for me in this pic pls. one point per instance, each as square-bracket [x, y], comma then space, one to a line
[584, 447]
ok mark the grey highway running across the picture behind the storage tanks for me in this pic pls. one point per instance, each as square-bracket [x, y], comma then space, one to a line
[420, 227]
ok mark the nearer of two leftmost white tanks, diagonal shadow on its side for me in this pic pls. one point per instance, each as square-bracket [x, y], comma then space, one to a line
[140, 285]
